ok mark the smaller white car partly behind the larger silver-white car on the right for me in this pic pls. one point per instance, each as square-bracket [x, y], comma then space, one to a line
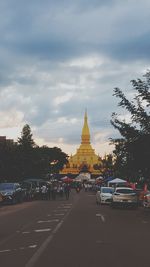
[104, 196]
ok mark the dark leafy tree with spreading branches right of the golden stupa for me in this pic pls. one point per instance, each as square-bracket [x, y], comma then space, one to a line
[132, 151]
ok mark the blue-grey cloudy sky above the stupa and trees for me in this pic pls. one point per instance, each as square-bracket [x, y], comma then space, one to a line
[59, 57]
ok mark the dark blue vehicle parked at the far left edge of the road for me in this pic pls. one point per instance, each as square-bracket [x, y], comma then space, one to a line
[11, 192]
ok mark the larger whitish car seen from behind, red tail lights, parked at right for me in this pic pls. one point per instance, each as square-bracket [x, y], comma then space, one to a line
[124, 197]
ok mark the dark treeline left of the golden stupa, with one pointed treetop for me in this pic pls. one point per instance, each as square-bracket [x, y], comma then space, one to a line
[24, 159]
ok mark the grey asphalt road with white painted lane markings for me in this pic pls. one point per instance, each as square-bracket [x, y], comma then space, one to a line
[73, 233]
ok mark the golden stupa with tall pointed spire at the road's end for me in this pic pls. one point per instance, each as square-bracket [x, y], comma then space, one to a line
[85, 157]
